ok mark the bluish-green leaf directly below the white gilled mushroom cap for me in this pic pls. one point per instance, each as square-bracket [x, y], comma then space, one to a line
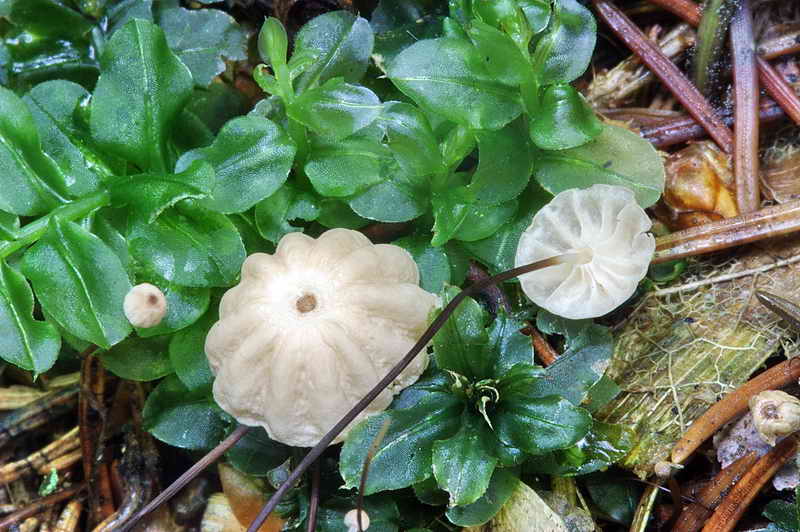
[580, 367]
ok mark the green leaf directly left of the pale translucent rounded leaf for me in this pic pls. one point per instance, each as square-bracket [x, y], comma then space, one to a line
[504, 166]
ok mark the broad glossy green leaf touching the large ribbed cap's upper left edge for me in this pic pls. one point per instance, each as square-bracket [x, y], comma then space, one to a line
[189, 246]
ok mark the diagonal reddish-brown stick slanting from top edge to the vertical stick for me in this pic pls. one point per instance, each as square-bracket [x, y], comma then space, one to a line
[683, 90]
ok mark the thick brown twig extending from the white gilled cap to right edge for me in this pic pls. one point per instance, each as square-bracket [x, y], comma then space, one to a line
[766, 223]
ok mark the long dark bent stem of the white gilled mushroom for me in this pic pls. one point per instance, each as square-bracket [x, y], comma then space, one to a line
[426, 337]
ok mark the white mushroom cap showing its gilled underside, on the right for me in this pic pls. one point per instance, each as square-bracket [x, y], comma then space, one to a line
[605, 231]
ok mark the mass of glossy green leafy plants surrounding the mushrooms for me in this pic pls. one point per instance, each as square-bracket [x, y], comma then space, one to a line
[127, 157]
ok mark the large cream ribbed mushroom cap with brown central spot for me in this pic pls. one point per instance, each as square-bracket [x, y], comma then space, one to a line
[310, 329]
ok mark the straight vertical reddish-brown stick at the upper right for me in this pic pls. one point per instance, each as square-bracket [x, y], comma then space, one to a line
[745, 88]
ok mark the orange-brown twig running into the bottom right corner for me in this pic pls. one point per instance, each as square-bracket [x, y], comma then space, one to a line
[736, 502]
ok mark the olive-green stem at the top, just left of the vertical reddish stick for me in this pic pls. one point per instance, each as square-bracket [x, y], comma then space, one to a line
[710, 41]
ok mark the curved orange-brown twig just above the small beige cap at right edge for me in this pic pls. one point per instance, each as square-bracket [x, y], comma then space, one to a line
[732, 405]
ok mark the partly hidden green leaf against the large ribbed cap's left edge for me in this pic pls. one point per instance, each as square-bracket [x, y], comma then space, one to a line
[187, 353]
